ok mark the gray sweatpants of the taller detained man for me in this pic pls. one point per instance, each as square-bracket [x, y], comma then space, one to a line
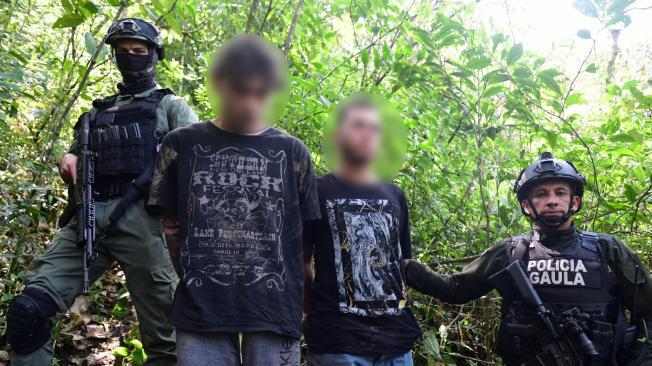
[236, 349]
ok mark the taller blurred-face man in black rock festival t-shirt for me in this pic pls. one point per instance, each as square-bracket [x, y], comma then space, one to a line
[235, 194]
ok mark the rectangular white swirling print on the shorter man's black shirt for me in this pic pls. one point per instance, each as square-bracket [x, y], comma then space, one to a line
[367, 252]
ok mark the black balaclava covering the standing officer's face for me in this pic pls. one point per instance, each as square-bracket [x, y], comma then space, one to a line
[137, 71]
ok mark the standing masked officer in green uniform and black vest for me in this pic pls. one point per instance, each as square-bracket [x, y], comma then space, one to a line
[124, 132]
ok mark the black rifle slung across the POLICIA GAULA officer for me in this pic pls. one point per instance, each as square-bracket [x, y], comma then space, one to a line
[563, 338]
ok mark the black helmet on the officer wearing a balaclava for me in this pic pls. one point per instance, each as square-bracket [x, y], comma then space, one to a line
[138, 29]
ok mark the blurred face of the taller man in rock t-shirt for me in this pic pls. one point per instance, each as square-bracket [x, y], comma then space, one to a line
[245, 102]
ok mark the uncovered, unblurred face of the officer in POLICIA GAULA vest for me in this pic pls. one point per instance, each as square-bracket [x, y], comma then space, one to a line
[551, 199]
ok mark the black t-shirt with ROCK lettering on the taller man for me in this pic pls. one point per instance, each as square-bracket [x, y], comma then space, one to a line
[241, 201]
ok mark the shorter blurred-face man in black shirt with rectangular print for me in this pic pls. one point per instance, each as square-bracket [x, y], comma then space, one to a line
[356, 307]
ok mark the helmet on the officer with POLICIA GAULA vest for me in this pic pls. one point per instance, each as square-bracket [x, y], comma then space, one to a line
[549, 168]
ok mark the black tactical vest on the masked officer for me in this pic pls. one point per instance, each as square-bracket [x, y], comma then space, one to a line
[123, 140]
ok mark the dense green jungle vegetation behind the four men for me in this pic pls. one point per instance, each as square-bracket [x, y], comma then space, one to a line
[478, 100]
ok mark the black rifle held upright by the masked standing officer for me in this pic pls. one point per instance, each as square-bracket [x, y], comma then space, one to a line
[85, 211]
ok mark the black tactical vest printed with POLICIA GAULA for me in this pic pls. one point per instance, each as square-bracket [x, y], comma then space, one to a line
[573, 277]
